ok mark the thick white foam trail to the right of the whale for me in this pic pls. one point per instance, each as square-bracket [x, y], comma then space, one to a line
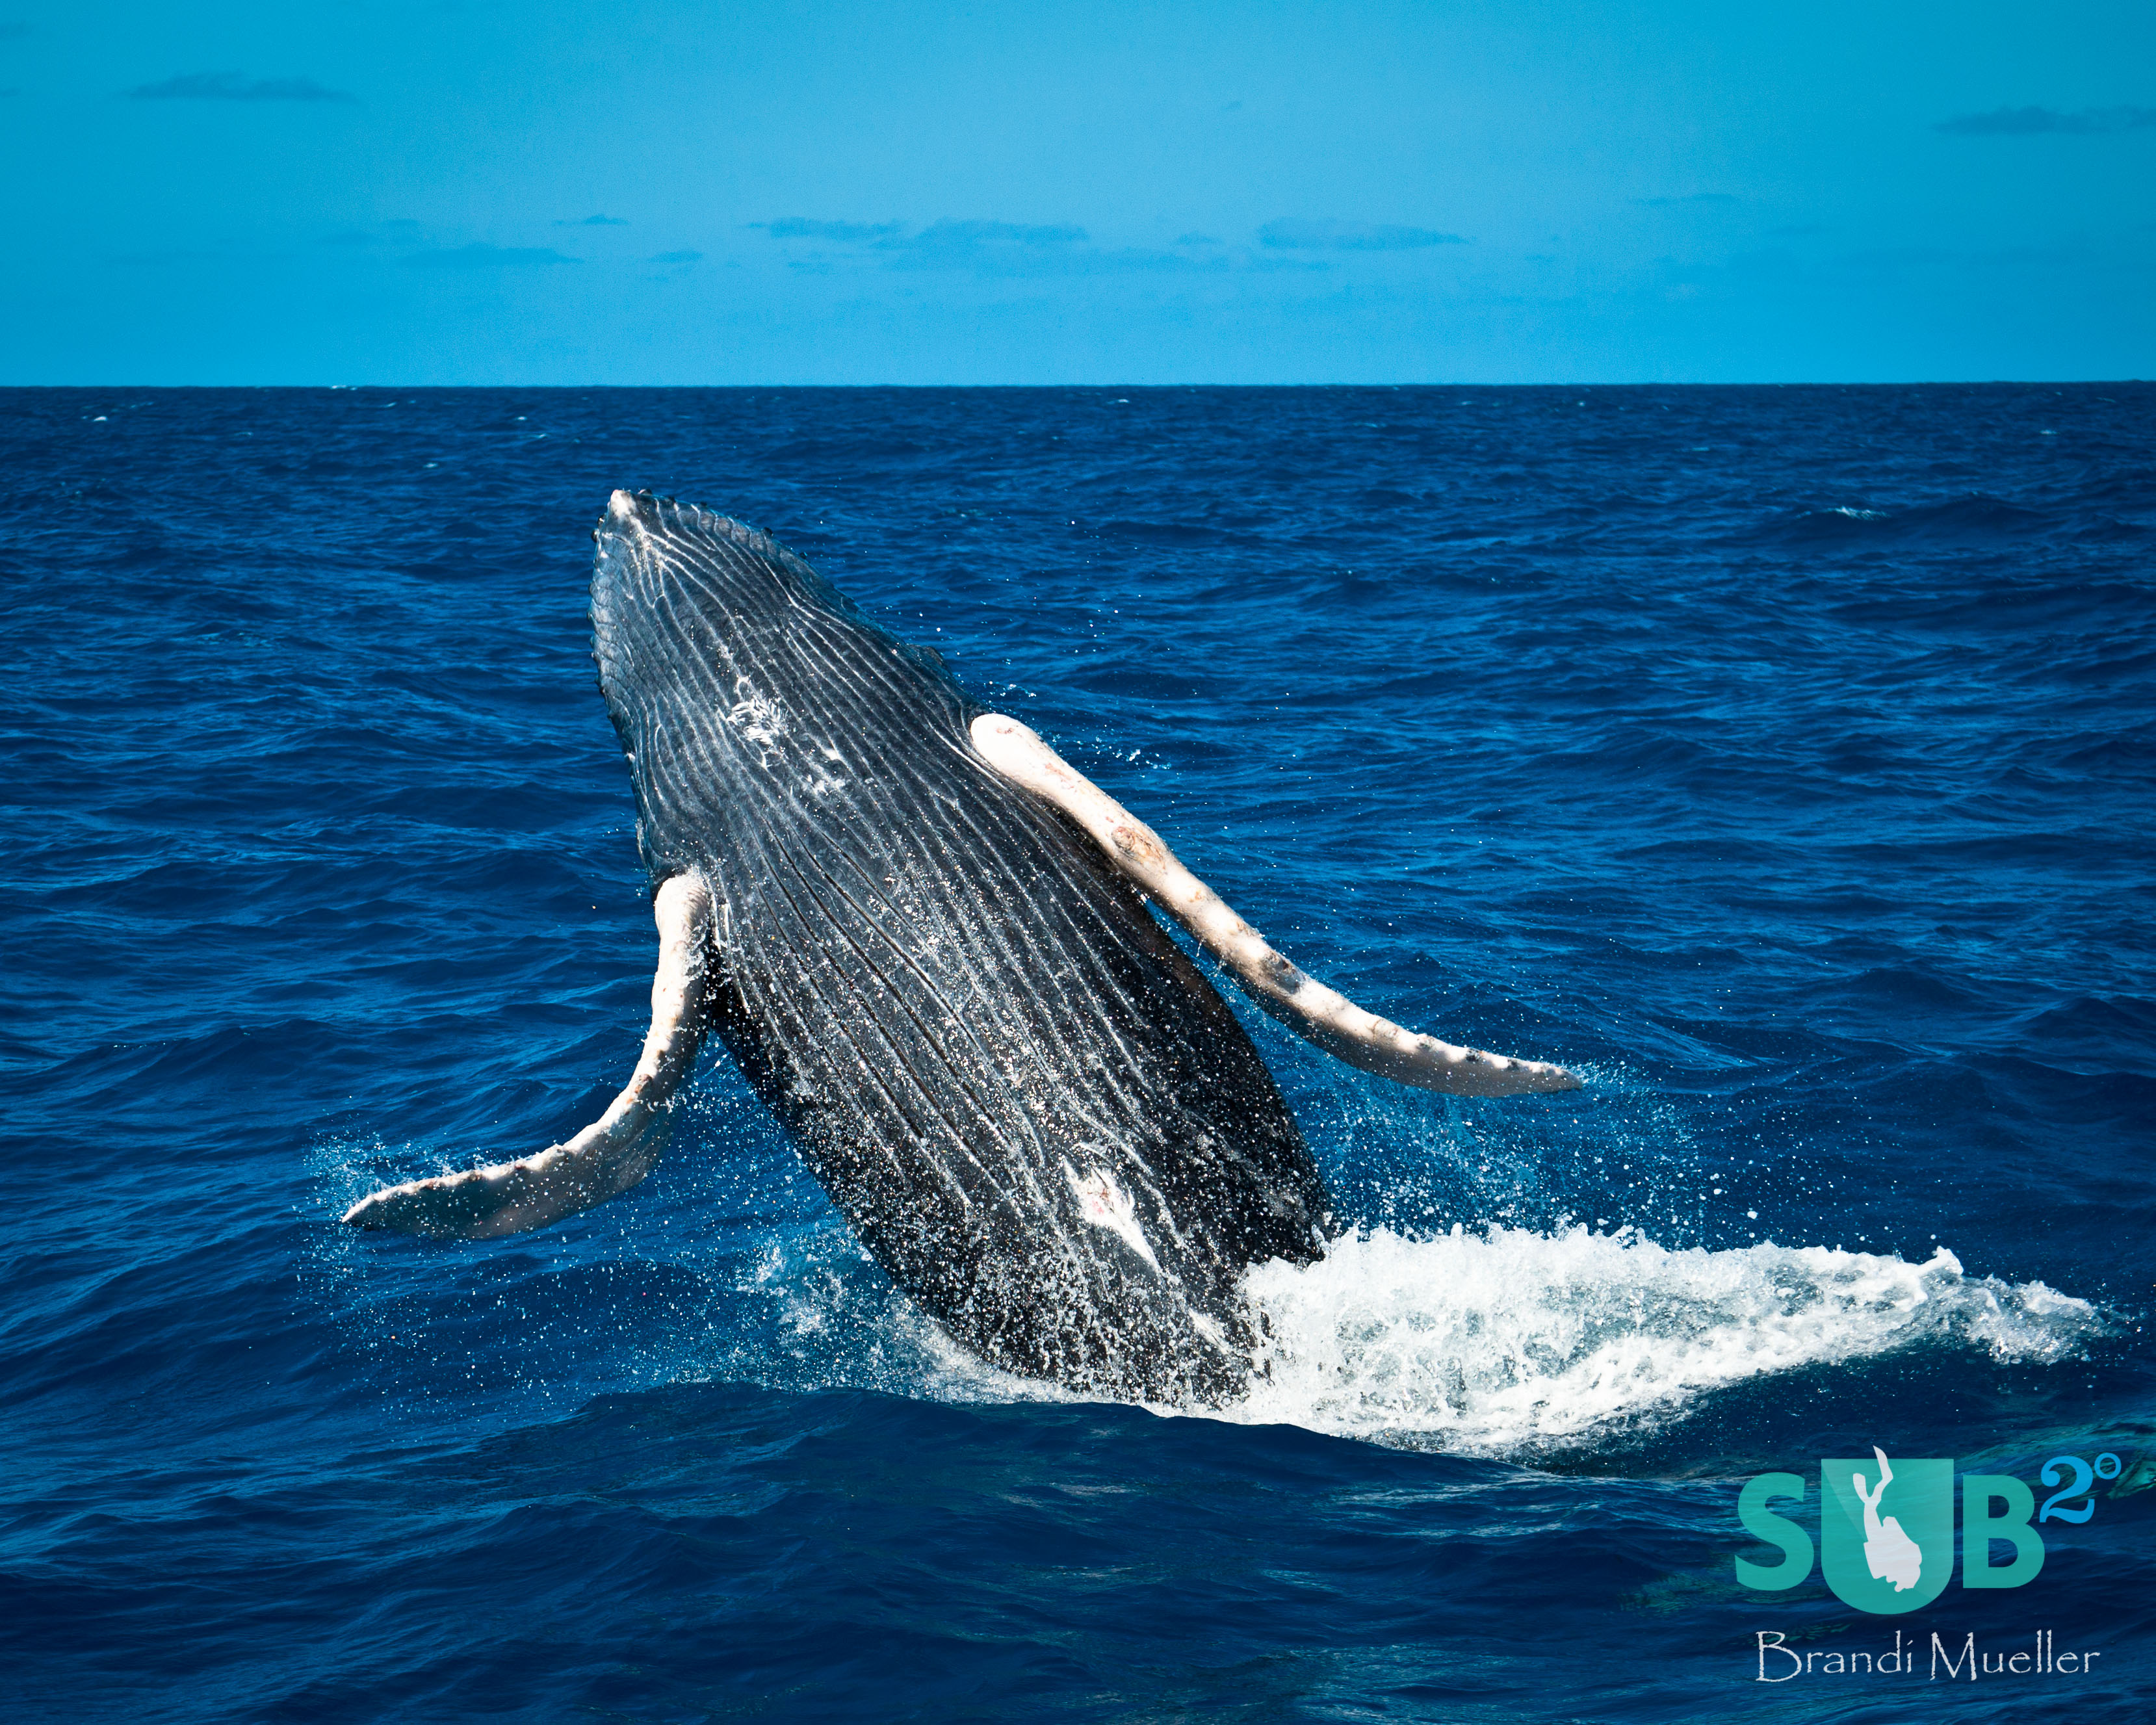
[1510, 1340]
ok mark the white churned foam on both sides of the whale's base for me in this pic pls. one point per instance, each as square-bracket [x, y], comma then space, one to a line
[1495, 1342]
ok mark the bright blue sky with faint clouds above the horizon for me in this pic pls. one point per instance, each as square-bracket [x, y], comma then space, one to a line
[1047, 193]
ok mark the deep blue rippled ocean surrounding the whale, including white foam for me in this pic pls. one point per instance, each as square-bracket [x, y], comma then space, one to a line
[1782, 758]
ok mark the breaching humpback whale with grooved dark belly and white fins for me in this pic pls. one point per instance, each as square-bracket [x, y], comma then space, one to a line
[926, 941]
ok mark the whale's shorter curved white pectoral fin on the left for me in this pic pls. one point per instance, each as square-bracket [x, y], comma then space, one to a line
[607, 1157]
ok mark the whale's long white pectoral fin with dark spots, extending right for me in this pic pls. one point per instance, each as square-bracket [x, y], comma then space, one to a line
[1301, 1004]
